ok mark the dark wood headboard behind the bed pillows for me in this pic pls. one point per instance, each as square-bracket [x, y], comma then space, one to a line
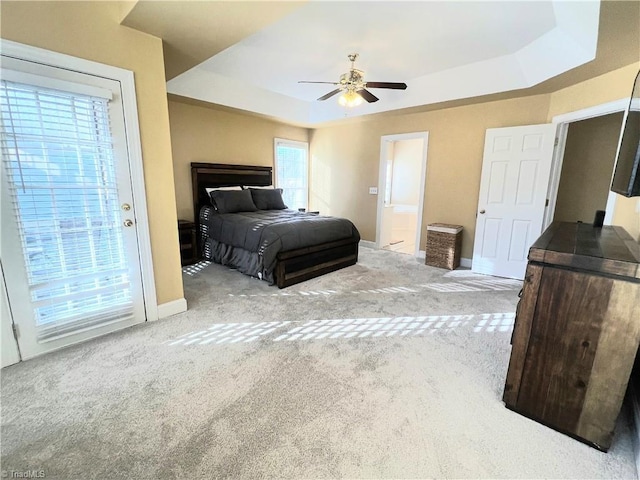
[208, 175]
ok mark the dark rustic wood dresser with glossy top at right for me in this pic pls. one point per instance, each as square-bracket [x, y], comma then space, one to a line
[577, 331]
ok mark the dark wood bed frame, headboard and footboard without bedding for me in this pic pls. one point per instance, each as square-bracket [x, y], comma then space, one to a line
[292, 266]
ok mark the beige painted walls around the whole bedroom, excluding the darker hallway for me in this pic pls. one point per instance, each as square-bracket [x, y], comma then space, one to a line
[344, 158]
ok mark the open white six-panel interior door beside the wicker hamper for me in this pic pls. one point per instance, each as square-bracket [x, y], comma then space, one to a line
[513, 192]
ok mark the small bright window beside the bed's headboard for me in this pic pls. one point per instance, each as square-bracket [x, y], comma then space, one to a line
[292, 172]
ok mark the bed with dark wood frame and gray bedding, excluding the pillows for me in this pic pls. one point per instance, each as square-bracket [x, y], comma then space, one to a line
[282, 247]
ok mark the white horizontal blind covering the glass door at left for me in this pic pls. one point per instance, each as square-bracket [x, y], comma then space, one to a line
[58, 160]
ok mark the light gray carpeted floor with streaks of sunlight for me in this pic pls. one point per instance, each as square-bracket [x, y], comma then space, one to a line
[386, 369]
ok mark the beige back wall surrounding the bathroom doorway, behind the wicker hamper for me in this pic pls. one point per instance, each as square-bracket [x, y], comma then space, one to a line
[345, 162]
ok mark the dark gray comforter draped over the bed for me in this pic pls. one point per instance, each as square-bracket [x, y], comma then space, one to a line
[251, 241]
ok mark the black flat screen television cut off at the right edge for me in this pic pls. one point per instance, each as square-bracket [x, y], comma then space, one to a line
[626, 176]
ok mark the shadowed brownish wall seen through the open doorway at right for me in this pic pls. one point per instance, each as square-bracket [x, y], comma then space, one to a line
[587, 167]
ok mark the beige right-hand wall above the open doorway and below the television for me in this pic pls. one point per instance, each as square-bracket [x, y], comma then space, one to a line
[596, 91]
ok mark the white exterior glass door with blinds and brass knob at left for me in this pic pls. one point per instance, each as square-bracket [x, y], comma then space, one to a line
[69, 246]
